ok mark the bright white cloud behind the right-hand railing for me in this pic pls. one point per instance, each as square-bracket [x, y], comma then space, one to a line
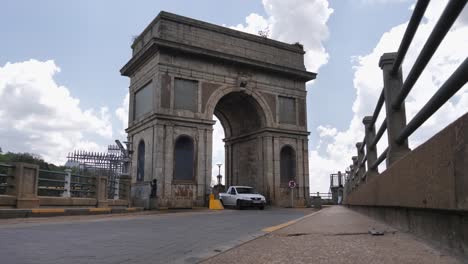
[368, 84]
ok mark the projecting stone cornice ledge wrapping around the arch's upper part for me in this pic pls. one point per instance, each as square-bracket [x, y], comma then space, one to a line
[157, 43]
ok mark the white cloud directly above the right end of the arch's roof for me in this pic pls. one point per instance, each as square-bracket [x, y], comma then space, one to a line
[291, 21]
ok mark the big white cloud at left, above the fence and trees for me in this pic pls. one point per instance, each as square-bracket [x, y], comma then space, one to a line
[39, 116]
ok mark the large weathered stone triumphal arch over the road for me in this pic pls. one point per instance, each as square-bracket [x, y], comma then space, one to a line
[240, 78]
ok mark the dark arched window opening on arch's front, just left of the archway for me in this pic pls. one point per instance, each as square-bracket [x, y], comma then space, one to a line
[184, 159]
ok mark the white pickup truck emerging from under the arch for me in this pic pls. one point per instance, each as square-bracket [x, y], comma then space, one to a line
[242, 196]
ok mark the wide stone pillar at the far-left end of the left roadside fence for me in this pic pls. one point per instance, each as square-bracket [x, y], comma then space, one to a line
[26, 183]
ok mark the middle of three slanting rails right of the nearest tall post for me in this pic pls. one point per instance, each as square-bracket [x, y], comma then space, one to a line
[445, 22]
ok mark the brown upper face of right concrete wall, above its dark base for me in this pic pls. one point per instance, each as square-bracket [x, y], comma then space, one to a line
[433, 176]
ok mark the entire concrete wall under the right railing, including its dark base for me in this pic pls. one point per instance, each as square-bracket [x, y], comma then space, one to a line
[425, 192]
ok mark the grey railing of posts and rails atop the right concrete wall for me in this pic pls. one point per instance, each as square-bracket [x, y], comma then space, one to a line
[395, 91]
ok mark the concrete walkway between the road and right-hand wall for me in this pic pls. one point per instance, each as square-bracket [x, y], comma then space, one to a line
[334, 235]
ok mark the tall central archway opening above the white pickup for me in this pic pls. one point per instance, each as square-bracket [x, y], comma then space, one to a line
[241, 119]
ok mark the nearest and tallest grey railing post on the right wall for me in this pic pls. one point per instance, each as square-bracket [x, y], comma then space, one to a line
[396, 119]
